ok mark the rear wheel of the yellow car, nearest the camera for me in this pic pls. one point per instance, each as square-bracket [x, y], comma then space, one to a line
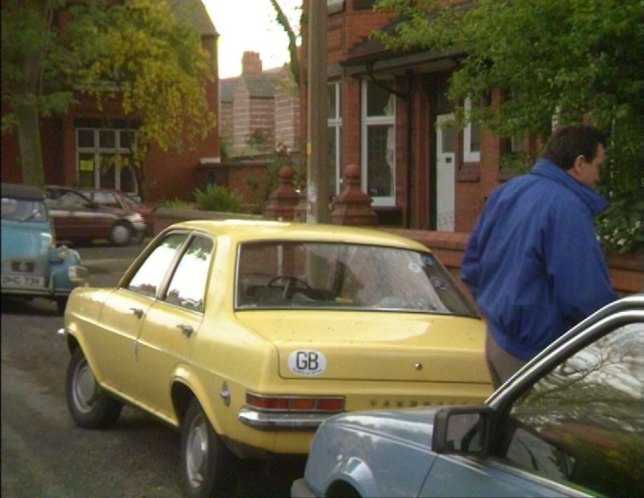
[209, 467]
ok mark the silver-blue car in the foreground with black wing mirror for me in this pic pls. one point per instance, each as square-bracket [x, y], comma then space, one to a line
[570, 423]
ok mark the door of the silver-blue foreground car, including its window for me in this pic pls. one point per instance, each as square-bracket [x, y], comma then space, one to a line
[576, 429]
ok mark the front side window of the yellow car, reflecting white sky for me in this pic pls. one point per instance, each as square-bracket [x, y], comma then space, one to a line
[150, 275]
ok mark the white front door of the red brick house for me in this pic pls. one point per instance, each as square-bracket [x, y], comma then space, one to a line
[445, 172]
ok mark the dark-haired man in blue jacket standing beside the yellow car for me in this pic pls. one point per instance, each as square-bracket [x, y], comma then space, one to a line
[533, 262]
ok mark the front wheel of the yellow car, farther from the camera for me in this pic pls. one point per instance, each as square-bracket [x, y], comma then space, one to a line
[89, 405]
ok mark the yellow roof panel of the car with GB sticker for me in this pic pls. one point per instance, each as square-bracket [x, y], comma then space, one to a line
[247, 230]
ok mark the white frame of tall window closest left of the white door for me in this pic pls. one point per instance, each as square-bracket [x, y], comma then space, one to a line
[366, 122]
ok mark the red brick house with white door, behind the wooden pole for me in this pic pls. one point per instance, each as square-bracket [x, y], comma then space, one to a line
[390, 115]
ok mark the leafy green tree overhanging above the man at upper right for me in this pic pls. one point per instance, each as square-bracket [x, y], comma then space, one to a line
[574, 60]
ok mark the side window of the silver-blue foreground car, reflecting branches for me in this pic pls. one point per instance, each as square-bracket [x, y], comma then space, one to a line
[583, 423]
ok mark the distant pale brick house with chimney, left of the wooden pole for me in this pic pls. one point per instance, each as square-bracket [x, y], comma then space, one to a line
[258, 111]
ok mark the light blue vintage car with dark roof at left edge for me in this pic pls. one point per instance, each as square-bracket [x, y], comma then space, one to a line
[32, 265]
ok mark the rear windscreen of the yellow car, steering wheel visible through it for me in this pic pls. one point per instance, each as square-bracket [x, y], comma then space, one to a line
[344, 276]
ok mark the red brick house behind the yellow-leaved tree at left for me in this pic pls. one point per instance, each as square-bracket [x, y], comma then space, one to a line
[79, 147]
